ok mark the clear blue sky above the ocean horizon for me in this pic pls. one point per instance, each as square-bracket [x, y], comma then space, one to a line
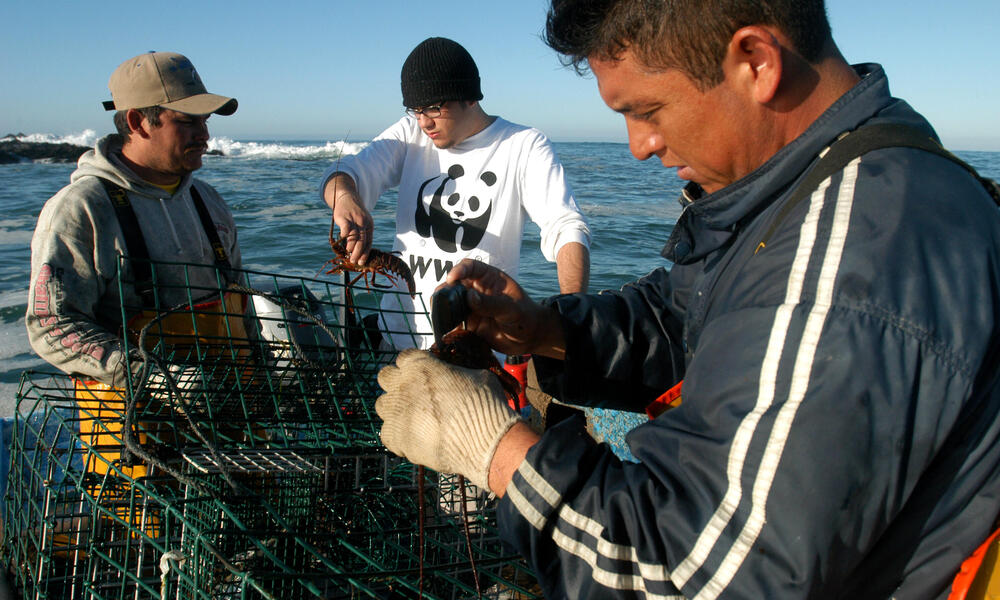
[323, 70]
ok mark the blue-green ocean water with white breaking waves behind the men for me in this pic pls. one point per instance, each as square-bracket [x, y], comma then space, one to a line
[284, 227]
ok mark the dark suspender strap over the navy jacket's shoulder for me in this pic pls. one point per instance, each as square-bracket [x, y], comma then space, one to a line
[862, 141]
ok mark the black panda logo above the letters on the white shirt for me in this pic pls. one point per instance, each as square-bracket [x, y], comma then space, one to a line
[456, 219]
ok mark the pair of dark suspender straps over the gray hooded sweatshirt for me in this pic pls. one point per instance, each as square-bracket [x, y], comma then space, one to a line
[135, 244]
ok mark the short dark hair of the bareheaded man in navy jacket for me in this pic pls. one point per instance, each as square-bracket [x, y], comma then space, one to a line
[689, 35]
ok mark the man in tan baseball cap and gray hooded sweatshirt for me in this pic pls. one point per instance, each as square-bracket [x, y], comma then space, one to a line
[133, 195]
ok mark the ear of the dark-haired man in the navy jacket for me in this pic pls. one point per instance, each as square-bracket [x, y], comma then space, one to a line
[754, 59]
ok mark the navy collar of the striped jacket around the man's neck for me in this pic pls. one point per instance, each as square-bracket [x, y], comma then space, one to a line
[707, 221]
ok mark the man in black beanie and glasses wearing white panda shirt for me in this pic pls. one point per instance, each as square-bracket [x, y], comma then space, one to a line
[466, 181]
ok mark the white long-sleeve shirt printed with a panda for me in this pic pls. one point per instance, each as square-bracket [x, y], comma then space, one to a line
[467, 201]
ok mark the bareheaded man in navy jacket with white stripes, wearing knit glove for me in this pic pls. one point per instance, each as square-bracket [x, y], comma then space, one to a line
[837, 435]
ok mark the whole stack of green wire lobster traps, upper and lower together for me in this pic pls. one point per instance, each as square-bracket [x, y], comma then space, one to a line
[241, 460]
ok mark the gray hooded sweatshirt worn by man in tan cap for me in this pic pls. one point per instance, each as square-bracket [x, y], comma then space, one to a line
[74, 316]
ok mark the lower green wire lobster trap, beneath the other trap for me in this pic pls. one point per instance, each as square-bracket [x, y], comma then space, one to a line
[282, 523]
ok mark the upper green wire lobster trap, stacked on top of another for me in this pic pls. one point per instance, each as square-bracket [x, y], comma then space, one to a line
[245, 358]
